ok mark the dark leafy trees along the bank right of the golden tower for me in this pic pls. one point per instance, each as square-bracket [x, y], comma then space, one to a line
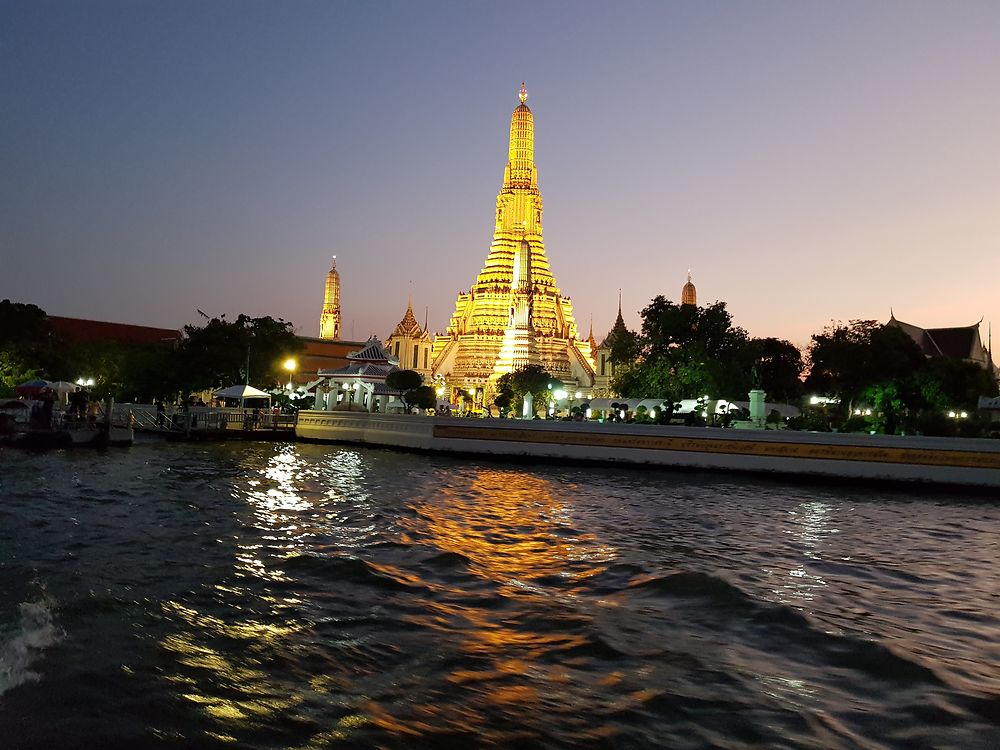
[687, 351]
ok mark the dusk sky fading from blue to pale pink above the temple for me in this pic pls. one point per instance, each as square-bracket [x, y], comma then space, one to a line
[808, 161]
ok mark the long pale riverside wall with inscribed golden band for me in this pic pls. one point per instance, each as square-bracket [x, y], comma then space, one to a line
[947, 461]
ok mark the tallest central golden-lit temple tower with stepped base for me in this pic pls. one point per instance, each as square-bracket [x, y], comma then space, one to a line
[514, 314]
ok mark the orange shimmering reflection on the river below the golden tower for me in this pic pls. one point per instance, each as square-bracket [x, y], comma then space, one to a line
[515, 530]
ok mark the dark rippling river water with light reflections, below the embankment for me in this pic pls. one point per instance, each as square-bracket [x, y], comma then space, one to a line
[305, 596]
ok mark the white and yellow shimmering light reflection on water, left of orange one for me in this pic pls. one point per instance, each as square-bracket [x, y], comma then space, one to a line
[290, 502]
